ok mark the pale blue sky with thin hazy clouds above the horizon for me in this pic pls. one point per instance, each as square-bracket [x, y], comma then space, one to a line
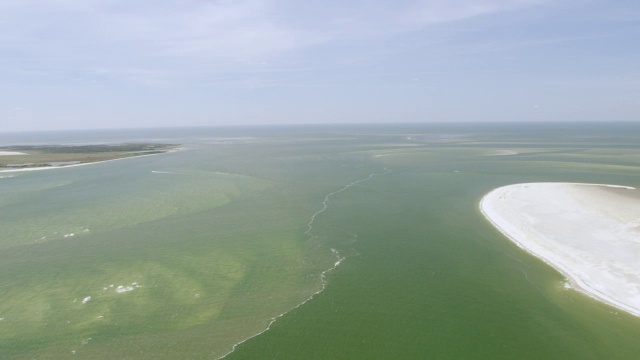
[91, 64]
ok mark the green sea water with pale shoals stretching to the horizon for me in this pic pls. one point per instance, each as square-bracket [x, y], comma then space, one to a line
[306, 242]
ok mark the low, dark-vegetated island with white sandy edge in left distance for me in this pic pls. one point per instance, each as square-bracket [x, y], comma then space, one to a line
[37, 157]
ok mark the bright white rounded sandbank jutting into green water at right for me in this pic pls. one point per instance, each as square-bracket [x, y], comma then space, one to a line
[589, 232]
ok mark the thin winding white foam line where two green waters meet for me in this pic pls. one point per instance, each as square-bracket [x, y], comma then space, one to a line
[323, 280]
